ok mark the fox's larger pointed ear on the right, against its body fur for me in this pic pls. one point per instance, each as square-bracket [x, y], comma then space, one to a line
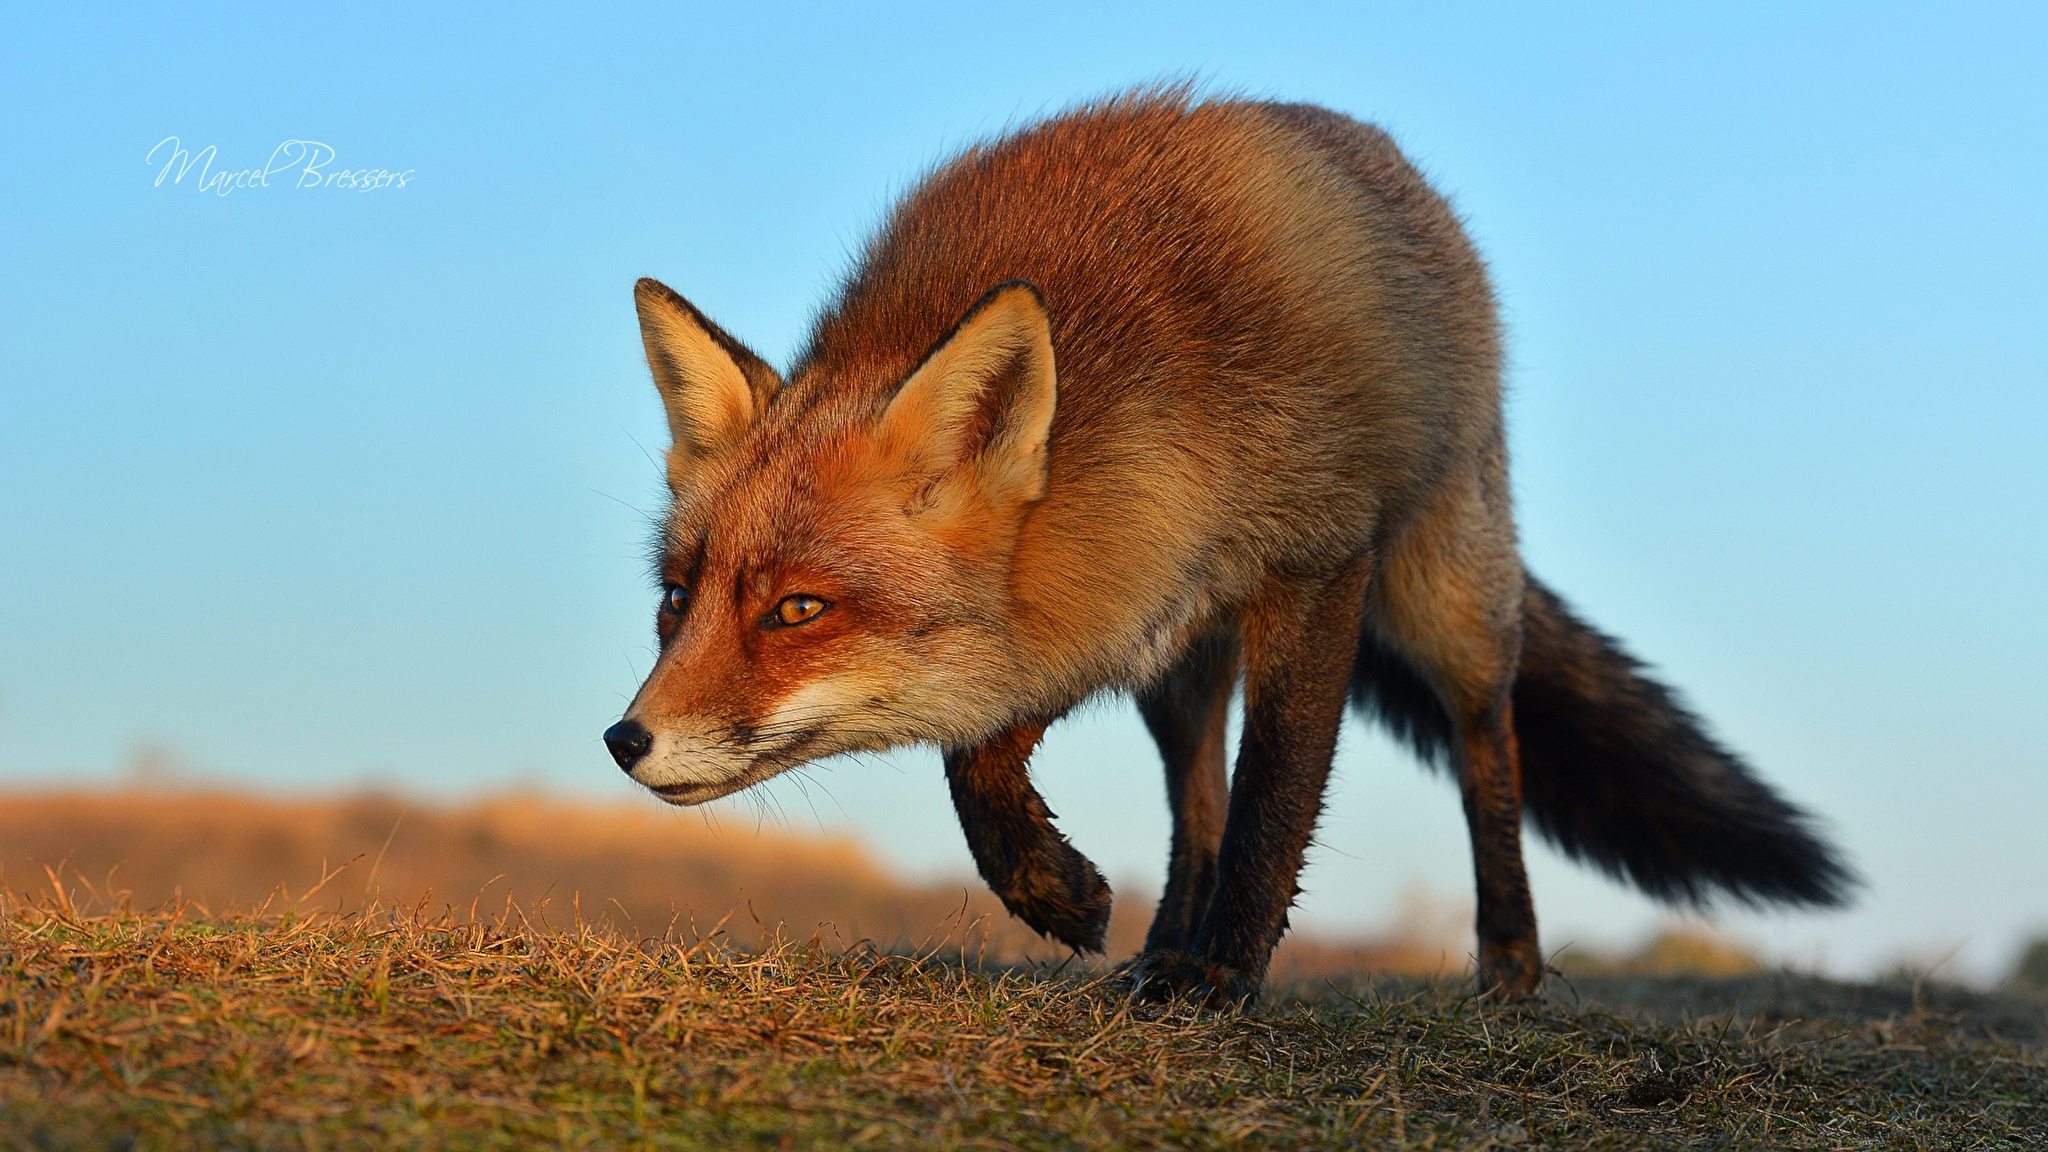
[982, 401]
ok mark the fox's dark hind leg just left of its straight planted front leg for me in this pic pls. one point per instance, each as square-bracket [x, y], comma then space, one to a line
[1187, 714]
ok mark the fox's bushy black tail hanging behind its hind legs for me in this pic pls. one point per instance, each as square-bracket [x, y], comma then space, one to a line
[1617, 774]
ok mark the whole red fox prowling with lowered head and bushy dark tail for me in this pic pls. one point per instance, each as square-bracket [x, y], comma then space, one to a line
[1164, 397]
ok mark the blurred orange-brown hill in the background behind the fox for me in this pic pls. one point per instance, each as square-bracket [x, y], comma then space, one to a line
[640, 868]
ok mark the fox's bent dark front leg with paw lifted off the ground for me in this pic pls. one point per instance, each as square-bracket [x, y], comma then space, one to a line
[1025, 860]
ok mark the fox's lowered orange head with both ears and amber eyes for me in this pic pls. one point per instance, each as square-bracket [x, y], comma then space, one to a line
[837, 561]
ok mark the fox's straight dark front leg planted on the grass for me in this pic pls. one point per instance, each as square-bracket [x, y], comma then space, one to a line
[1299, 643]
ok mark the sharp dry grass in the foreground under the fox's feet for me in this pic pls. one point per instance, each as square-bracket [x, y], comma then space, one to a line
[388, 1030]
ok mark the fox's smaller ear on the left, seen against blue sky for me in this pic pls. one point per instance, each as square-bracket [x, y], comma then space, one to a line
[712, 386]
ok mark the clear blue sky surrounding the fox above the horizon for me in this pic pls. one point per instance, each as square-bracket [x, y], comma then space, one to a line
[318, 487]
